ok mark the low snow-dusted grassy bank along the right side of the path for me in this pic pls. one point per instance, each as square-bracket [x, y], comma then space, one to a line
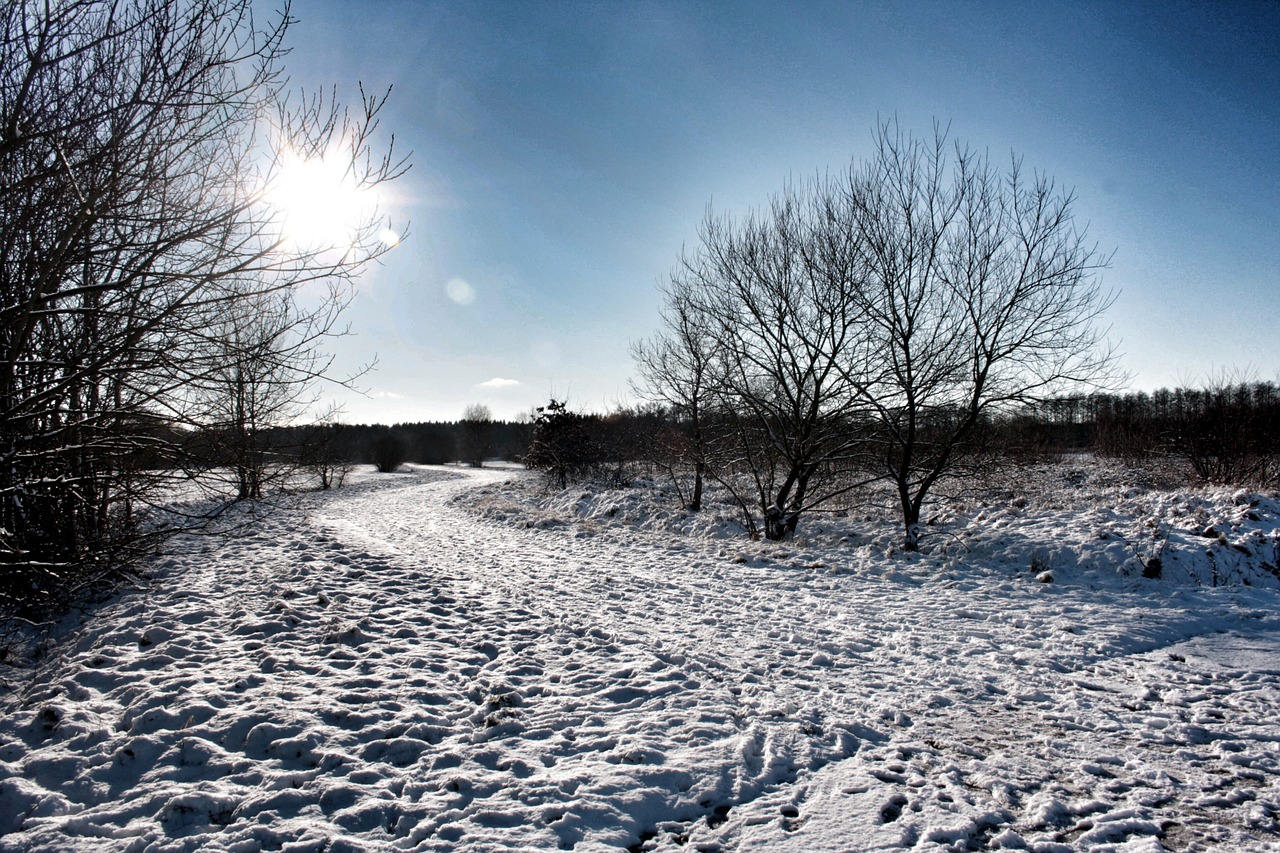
[1084, 522]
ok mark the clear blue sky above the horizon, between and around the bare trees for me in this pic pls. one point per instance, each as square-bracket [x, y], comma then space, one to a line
[565, 152]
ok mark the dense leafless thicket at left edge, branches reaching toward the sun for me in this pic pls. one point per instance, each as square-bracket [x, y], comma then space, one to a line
[147, 288]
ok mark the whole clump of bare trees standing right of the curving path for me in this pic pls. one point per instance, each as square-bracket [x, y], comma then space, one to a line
[870, 325]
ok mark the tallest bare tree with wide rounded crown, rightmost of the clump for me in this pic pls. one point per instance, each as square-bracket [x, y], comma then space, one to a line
[981, 294]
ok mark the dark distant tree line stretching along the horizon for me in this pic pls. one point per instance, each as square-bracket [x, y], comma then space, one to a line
[1224, 434]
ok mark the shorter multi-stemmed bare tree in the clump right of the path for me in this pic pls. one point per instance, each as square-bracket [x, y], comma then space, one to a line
[776, 314]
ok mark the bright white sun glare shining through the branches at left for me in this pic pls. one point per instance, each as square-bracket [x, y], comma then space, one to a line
[319, 203]
